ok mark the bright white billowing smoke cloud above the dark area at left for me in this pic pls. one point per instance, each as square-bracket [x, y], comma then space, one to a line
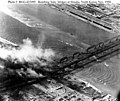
[28, 53]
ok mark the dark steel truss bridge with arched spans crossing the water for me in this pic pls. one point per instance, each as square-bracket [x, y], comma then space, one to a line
[94, 54]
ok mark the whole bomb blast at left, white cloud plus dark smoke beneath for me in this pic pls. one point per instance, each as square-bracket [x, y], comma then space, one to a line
[22, 66]
